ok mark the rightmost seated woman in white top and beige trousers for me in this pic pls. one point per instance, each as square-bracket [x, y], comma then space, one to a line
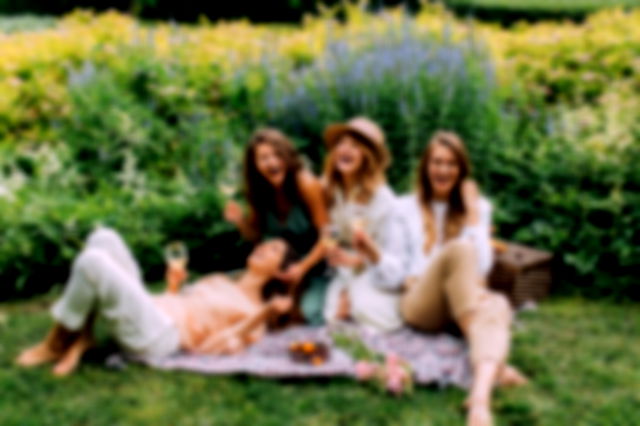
[449, 255]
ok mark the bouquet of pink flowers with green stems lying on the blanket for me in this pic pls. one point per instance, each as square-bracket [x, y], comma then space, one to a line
[387, 372]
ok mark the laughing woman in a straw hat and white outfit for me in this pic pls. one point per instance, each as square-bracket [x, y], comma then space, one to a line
[364, 239]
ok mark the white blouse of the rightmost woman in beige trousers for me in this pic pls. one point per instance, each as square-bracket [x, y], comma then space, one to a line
[417, 260]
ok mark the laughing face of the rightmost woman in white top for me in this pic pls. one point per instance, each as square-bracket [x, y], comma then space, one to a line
[443, 171]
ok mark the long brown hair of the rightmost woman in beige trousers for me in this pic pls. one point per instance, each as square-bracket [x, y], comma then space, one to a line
[456, 209]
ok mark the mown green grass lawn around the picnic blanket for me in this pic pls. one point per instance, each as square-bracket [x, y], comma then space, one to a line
[583, 358]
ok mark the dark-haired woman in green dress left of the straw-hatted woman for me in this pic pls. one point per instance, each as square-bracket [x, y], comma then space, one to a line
[285, 201]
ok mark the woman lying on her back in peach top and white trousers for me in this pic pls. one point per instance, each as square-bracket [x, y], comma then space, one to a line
[212, 316]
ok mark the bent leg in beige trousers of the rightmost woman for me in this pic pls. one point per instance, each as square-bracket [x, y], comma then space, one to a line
[452, 288]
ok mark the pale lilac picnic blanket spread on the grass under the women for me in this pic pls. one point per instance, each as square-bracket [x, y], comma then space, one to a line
[436, 359]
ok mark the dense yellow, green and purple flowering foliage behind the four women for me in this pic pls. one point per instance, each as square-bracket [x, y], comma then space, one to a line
[105, 120]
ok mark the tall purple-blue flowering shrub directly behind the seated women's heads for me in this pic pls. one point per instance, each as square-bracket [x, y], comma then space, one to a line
[411, 84]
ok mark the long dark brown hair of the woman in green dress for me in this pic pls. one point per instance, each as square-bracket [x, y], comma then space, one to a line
[260, 193]
